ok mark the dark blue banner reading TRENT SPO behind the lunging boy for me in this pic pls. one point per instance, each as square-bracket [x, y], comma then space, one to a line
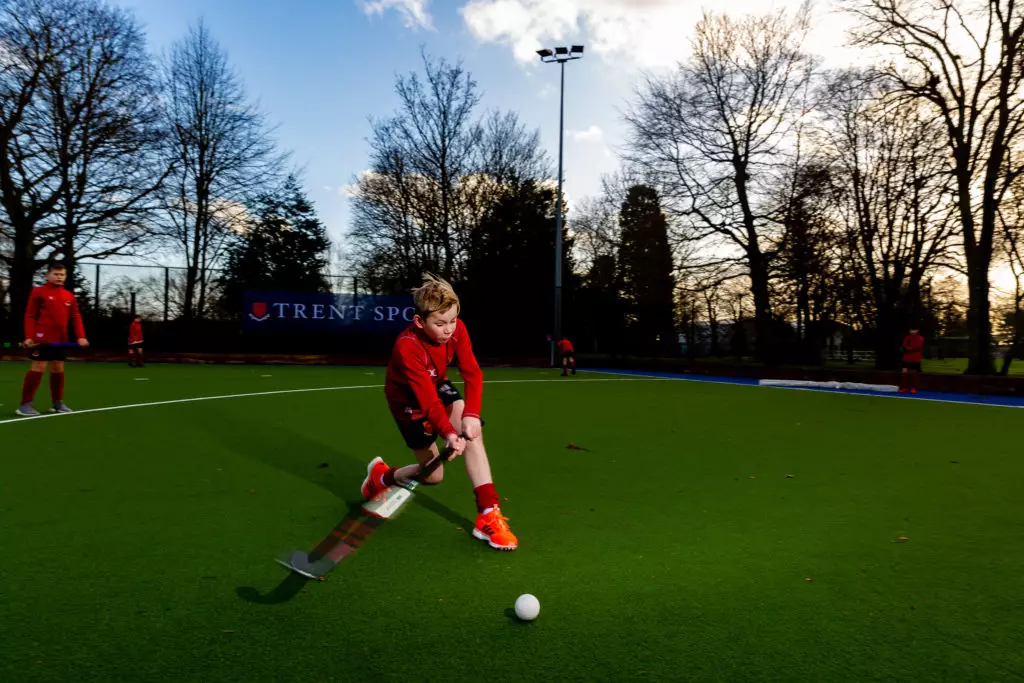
[315, 312]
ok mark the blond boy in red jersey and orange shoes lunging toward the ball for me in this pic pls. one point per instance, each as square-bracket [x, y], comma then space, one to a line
[425, 405]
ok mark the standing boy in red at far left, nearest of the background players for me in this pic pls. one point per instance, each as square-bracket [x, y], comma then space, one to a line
[51, 310]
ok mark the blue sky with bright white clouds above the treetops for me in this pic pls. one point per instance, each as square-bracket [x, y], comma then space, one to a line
[322, 68]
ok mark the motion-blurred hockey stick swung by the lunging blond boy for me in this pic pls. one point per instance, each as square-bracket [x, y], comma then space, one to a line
[353, 533]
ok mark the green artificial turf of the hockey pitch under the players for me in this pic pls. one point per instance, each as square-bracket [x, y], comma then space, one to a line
[138, 544]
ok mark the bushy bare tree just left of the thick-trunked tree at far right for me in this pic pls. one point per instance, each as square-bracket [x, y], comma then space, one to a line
[894, 200]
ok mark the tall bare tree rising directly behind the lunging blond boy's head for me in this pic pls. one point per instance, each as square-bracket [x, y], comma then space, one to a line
[413, 212]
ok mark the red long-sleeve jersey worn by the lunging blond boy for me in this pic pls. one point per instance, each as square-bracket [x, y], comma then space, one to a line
[417, 367]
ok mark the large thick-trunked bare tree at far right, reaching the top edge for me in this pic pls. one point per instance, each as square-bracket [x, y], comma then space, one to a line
[963, 61]
